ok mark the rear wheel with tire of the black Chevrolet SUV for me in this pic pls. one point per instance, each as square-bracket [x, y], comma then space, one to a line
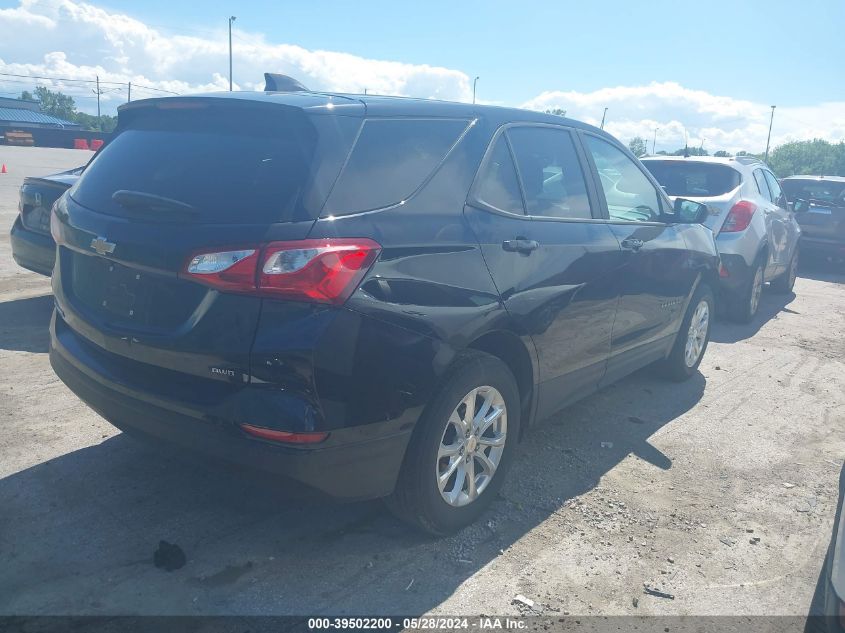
[434, 492]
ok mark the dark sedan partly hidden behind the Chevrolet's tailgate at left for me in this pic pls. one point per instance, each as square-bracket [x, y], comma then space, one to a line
[32, 246]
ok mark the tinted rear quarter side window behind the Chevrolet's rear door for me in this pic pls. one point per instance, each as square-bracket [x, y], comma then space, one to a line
[391, 159]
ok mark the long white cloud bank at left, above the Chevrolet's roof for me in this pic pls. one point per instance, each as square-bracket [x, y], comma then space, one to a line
[81, 41]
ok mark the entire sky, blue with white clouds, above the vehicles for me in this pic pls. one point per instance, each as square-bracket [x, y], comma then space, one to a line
[707, 71]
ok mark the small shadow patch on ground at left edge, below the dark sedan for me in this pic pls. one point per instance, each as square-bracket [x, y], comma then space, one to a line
[24, 324]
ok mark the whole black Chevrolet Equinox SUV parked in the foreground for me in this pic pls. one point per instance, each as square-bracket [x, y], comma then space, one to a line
[372, 296]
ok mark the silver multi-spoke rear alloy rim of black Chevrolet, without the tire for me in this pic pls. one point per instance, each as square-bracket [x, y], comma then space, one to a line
[472, 445]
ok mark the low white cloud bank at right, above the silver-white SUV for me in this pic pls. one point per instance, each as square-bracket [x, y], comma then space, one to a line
[717, 121]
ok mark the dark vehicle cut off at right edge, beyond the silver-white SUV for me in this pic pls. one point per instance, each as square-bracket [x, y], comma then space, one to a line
[823, 222]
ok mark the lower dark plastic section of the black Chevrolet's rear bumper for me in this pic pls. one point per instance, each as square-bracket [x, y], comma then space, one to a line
[354, 463]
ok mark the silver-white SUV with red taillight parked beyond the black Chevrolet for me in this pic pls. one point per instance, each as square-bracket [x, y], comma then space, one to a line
[755, 227]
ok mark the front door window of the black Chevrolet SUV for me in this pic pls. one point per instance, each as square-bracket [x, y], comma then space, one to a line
[629, 194]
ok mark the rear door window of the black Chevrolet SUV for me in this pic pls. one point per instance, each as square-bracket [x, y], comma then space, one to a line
[552, 179]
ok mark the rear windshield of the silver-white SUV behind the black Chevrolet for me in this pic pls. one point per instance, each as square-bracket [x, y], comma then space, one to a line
[691, 179]
